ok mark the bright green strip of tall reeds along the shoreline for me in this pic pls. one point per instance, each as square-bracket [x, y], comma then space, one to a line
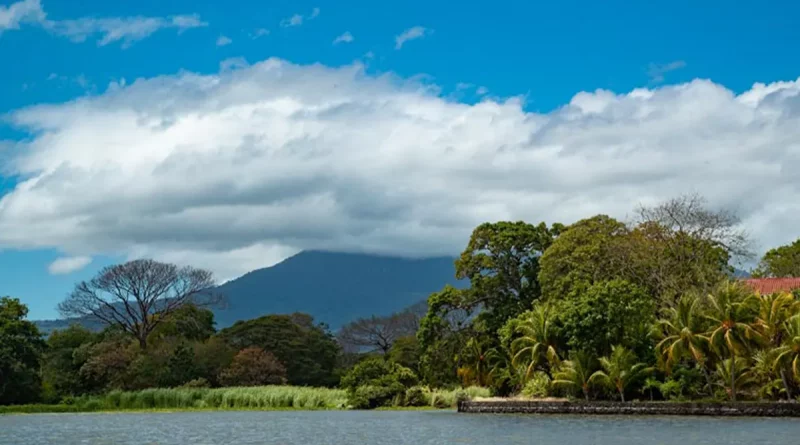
[251, 398]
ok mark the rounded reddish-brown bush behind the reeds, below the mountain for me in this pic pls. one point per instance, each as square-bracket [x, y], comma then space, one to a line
[253, 367]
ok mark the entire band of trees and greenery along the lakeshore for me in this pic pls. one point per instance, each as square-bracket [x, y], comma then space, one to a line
[601, 309]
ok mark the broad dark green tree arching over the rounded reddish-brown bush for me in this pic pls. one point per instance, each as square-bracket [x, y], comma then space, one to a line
[308, 351]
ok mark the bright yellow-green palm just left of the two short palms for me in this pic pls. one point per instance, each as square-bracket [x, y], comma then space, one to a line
[536, 345]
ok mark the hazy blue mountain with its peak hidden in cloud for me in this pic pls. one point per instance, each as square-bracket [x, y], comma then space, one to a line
[335, 287]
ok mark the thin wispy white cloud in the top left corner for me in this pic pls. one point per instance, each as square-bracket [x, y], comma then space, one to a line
[108, 30]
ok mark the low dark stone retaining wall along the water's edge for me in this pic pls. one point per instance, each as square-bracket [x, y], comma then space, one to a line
[739, 409]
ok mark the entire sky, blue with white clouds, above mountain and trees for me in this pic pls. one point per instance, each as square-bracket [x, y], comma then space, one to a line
[231, 135]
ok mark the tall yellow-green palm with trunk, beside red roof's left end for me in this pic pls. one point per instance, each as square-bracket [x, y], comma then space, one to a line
[731, 313]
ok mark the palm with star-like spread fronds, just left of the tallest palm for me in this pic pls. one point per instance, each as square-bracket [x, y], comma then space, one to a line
[681, 333]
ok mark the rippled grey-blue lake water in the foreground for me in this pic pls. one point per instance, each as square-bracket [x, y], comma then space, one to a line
[387, 428]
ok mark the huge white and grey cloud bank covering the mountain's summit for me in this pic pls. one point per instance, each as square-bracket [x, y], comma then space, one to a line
[236, 170]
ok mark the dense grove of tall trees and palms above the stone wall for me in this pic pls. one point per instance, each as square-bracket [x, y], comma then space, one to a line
[605, 309]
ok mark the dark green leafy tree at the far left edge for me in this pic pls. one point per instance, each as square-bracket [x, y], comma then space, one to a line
[21, 348]
